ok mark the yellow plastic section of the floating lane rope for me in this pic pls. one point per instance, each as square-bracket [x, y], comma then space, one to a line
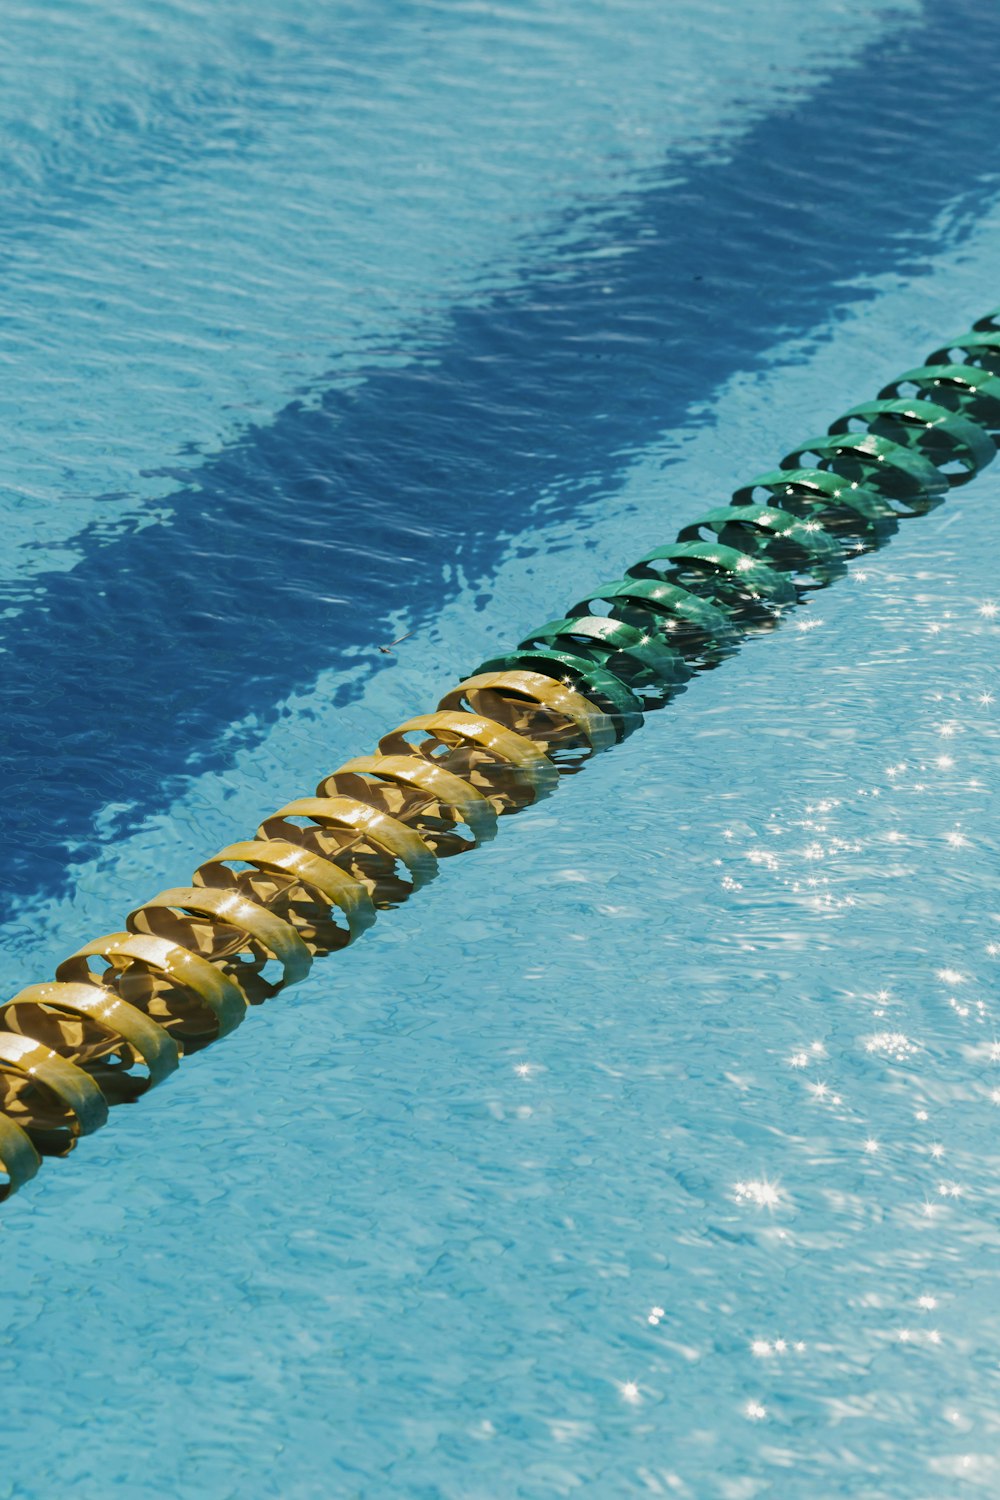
[158, 992]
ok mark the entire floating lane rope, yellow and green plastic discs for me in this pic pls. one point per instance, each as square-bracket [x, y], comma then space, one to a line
[125, 1009]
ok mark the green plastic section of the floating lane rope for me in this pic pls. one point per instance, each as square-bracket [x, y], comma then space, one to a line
[627, 644]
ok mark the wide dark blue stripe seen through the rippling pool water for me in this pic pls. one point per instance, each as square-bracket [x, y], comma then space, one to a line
[296, 542]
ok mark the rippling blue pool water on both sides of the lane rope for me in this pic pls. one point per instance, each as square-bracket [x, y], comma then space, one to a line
[651, 1150]
